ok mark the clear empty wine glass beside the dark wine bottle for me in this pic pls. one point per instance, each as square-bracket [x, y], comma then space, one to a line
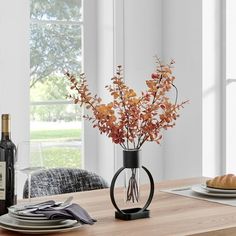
[29, 159]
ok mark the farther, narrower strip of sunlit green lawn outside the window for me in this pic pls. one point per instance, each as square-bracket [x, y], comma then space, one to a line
[64, 134]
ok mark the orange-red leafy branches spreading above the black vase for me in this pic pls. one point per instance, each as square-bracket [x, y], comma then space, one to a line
[129, 119]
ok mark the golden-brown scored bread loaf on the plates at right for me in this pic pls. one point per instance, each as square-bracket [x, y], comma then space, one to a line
[223, 182]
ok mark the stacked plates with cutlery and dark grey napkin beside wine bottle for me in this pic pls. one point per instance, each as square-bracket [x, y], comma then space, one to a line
[45, 217]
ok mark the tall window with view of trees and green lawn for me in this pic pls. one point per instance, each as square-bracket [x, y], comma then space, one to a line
[55, 46]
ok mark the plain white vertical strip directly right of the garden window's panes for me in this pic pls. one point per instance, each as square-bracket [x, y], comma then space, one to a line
[90, 68]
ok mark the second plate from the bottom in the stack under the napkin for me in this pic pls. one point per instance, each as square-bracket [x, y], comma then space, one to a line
[9, 221]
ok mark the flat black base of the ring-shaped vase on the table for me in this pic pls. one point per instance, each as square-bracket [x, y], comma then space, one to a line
[132, 214]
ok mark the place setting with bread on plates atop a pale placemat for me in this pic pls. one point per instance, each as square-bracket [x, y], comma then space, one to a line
[221, 189]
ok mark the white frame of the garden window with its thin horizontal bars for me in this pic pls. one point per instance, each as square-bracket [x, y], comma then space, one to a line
[88, 65]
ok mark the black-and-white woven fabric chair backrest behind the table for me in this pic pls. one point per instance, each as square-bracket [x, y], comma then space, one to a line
[62, 180]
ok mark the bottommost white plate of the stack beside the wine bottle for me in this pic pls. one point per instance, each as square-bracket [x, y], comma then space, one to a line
[41, 231]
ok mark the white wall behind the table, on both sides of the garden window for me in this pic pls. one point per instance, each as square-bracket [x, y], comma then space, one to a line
[168, 28]
